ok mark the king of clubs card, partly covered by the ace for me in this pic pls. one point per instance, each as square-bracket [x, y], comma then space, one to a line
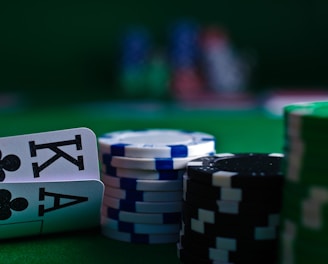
[61, 155]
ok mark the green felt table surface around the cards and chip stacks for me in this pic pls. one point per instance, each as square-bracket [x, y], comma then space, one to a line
[242, 131]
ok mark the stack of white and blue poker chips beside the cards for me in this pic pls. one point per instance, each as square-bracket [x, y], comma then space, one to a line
[142, 173]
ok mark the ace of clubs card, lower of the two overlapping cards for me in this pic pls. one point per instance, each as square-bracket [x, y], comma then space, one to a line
[46, 207]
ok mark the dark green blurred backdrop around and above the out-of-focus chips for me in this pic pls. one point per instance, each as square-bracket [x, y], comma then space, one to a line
[67, 51]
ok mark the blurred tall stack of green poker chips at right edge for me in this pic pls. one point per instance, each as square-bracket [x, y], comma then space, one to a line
[304, 218]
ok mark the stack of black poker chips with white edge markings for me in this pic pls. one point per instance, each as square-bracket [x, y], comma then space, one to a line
[231, 209]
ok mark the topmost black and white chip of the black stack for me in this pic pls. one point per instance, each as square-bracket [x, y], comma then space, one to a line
[245, 170]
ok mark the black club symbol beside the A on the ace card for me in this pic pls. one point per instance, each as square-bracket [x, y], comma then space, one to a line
[7, 204]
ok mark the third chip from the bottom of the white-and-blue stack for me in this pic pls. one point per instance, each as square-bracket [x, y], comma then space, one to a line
[142, 218]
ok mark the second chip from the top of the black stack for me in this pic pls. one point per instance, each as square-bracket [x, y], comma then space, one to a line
[232, 194]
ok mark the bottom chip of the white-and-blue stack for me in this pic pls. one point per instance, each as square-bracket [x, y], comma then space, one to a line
[139, 238]
